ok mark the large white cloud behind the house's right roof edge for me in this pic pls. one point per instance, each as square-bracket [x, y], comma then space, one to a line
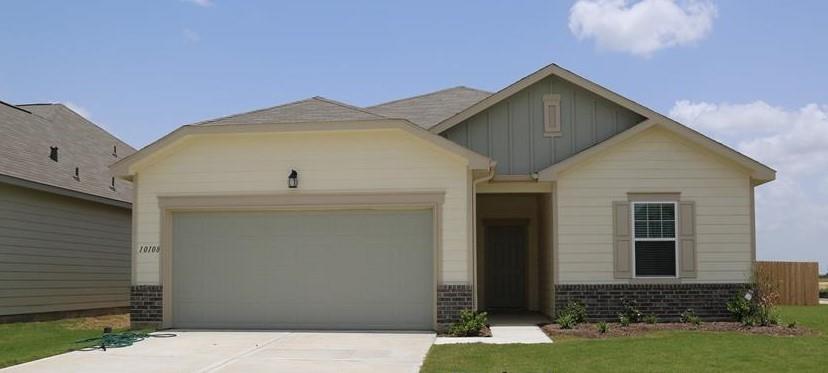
[792, 212]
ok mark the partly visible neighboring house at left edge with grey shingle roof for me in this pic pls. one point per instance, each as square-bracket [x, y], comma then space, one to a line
[64, 219]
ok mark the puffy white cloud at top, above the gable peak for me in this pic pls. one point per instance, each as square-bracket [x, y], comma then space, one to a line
[642, 27]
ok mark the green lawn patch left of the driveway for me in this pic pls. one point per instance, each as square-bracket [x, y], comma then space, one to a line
[22, 342]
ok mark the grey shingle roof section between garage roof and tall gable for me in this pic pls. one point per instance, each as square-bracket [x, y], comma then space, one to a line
[431, 108]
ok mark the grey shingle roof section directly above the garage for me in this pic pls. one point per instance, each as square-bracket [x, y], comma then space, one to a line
[314, 109]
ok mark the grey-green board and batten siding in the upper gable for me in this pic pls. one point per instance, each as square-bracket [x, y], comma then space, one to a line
[512, 131]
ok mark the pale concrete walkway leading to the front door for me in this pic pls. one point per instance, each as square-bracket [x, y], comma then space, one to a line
[506, 329]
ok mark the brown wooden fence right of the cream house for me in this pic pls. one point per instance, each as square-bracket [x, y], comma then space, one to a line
[797, 282]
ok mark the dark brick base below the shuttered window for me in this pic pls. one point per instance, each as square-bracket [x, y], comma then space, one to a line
[667, 301]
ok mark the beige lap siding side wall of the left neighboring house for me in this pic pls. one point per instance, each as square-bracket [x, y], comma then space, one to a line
[60, 253]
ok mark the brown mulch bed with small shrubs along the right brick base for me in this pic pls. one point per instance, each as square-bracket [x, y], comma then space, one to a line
[616, 330]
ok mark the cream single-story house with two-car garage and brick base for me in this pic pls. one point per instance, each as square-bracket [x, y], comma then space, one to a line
[552, 189]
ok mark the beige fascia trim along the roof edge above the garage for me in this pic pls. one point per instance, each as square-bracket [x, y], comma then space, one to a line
[123, 168]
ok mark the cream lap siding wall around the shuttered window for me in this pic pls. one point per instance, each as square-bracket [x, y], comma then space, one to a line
[654, 161]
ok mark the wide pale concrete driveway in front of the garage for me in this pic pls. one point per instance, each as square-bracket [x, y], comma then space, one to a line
[251, 351]
